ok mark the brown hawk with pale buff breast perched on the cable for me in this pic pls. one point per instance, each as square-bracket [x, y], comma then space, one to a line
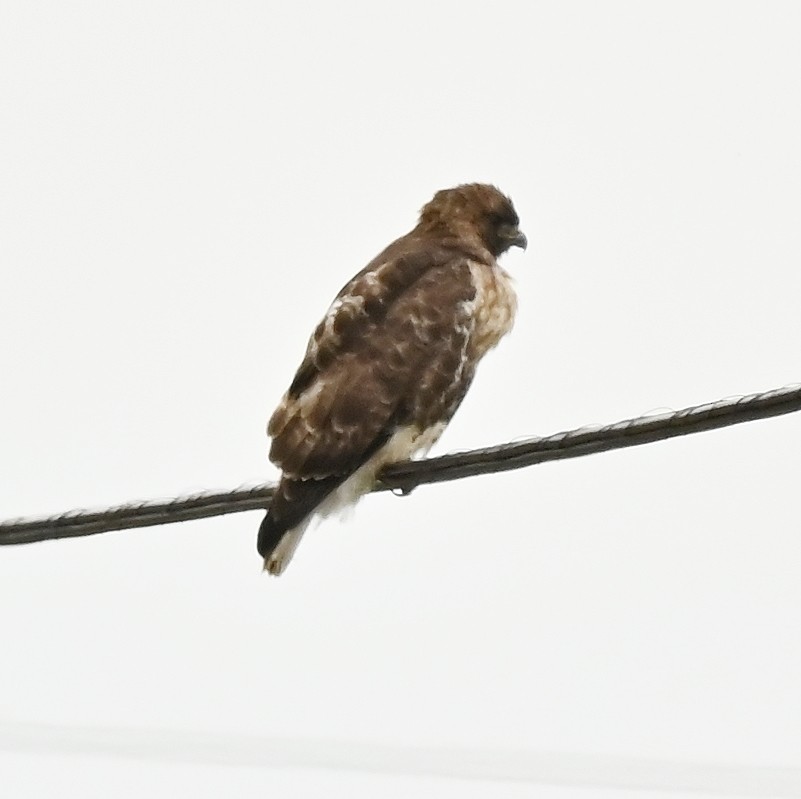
[391, 361]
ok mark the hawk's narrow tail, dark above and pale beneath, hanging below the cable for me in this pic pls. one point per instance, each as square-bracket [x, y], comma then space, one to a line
[291, 510]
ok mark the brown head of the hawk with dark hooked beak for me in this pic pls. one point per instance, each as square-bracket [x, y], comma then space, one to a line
[478, 210]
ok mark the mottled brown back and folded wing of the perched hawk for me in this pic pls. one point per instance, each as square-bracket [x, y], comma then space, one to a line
[391, 351]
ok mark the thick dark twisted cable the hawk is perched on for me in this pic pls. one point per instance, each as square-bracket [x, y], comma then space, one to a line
[404, 477]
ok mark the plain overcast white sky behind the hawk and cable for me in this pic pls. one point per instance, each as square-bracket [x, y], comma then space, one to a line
[185, 186]
